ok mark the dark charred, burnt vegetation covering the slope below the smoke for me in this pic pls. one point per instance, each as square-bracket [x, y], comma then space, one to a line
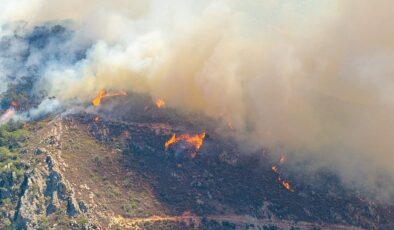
[221, 179]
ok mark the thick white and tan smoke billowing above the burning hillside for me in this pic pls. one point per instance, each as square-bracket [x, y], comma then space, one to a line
[313, 79]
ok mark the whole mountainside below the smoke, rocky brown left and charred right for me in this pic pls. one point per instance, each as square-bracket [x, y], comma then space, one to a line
[110, 170]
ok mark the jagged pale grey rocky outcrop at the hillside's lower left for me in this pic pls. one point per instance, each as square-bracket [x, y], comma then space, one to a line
[46, 191]
